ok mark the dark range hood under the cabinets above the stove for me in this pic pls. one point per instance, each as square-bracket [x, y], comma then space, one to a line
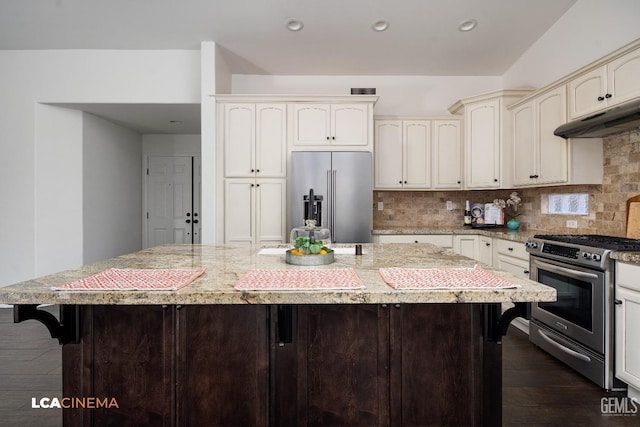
[613, 120]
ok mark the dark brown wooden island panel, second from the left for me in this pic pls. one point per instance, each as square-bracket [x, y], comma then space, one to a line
[223, 366]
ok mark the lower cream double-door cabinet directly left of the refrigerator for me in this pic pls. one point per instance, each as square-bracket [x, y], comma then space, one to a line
[255, 210]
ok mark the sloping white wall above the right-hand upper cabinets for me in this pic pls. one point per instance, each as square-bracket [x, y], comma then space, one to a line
[588, 31]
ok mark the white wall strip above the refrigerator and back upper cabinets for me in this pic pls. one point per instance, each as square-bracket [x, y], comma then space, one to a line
[399, 95]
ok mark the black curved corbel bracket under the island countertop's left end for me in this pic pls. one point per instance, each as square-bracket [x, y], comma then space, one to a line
[67, 330]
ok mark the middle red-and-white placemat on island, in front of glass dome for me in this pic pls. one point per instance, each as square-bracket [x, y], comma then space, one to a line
[295, 280]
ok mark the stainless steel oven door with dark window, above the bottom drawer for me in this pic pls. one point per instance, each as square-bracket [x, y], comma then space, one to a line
[579, 312]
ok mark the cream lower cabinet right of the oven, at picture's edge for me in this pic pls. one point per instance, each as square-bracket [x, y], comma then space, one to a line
[627, 319]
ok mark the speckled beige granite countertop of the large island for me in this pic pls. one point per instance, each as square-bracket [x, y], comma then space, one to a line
[226, 263]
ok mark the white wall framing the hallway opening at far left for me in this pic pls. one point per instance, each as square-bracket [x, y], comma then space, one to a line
[28, 151]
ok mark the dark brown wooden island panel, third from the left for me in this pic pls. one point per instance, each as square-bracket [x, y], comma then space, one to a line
[335, 371]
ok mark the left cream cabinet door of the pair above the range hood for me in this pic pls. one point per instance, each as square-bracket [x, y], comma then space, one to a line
[586, 93]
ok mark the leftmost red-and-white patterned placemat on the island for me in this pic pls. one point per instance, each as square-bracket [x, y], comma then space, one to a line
[116, 279]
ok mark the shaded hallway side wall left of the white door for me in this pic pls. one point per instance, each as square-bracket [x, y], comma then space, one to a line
[112, 190]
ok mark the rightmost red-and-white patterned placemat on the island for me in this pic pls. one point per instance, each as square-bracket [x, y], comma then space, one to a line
[444, 278]
